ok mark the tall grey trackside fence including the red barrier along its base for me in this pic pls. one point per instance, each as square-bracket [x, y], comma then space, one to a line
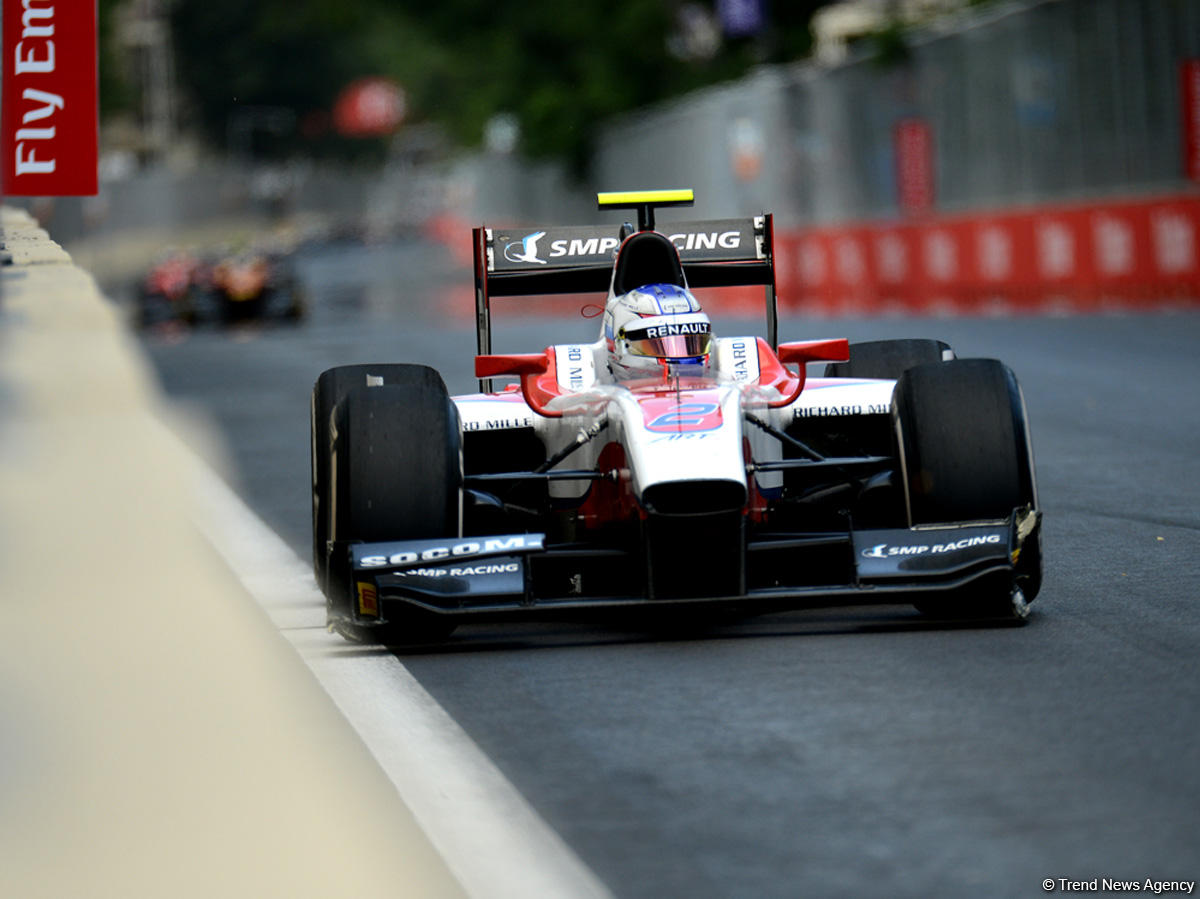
[1023, 157]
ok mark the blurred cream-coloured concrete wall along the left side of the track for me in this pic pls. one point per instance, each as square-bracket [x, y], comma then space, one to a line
[158, 736]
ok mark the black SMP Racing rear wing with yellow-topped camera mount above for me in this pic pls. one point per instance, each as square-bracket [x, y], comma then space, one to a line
[530, 262]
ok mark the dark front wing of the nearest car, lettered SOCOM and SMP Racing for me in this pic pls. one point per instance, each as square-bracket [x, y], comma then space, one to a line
[509, 576]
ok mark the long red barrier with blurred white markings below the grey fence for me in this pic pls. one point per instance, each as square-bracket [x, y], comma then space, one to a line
[1088, 257]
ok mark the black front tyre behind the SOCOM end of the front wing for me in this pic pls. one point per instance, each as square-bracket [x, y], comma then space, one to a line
[397, 469]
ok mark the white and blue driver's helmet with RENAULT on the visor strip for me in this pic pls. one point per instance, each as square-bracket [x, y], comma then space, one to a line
[656, 326]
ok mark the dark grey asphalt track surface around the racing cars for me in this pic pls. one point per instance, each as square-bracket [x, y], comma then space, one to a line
[823, 753]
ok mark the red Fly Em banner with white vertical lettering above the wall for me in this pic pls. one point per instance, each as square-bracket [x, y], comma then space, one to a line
[49, 123]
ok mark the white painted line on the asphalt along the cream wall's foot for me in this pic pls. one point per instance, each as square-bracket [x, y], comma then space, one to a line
[488, 835]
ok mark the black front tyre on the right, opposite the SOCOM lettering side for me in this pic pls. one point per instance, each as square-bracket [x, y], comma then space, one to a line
[964, 445]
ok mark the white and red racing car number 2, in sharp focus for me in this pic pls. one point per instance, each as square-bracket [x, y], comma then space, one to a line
[663, 468]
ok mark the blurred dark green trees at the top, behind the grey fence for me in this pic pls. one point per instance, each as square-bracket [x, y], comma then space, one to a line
[560, 68]
